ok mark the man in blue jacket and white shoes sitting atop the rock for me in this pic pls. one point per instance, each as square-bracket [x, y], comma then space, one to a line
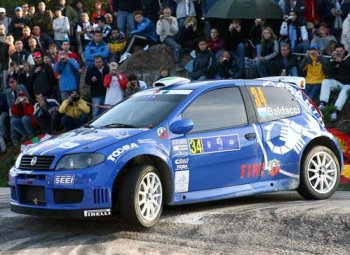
[144, 35]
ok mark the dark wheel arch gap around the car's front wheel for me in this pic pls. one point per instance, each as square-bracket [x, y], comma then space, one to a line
[146, 159]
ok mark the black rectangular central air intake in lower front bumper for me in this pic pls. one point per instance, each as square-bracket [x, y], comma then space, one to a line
[34, 195]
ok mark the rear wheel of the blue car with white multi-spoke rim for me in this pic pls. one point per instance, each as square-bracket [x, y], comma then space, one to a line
[320, 173]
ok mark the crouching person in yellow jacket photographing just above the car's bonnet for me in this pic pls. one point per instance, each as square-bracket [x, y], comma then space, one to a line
[74, 110]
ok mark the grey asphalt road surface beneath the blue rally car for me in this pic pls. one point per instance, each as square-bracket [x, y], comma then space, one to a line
[277, 223]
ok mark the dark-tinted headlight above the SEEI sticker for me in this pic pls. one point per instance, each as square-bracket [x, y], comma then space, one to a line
[79, 161]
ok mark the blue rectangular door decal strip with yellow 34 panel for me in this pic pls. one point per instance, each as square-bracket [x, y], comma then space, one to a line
[214, 144]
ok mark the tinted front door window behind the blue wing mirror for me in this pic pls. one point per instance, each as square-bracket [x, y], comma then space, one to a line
[217, 109]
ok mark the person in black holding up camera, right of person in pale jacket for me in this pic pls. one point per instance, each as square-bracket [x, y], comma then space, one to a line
[188, 34]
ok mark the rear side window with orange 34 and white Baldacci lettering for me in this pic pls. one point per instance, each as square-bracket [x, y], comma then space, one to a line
[273, 103]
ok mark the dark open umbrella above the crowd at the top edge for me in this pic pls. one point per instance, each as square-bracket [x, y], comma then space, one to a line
[245, 9]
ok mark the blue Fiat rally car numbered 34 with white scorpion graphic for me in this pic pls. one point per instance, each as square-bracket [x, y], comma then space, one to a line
[181, 144]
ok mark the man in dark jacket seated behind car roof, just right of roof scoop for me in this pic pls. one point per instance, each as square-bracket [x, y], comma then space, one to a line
[204, 63]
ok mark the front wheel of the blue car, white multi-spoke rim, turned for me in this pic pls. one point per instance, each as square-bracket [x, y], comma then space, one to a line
[141, 196]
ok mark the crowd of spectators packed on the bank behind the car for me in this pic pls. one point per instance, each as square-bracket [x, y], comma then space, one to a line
[44, 51]
